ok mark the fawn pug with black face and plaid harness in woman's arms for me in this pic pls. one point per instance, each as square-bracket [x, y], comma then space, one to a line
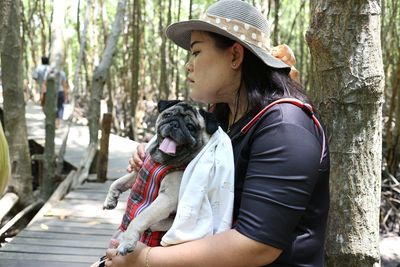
[182, 131]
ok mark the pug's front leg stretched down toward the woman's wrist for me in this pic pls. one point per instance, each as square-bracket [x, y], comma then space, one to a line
[165, 204]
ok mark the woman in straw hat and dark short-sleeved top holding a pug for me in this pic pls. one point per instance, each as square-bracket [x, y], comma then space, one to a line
[281, 160]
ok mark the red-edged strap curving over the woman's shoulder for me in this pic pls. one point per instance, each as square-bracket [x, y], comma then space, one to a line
[304, 106]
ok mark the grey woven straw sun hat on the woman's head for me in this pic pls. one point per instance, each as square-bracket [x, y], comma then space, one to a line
[236, 20]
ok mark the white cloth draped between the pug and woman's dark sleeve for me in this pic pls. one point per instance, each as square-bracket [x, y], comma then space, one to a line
[206, 193]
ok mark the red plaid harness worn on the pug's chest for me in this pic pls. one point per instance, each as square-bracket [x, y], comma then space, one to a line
[144, 192]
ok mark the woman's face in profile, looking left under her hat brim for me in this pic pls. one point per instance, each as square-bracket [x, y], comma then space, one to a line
[211, 77]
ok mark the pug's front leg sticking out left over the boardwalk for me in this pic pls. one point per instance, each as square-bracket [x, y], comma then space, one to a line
[117, 187]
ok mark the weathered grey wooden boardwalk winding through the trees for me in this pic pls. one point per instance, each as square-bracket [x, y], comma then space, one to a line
[75, 231]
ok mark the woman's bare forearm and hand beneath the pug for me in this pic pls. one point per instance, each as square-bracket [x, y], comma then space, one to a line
[229, 248]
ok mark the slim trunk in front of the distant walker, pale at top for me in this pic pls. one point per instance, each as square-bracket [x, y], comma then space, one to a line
[50, 109]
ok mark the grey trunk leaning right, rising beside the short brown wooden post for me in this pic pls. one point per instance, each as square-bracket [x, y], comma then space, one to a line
[99, 75]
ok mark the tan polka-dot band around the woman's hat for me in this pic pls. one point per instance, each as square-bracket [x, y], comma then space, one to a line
[243, 31]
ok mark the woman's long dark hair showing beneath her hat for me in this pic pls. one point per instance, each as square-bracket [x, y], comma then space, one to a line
[263, 83]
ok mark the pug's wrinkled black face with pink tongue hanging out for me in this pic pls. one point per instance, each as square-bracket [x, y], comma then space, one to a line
[181, 133]
